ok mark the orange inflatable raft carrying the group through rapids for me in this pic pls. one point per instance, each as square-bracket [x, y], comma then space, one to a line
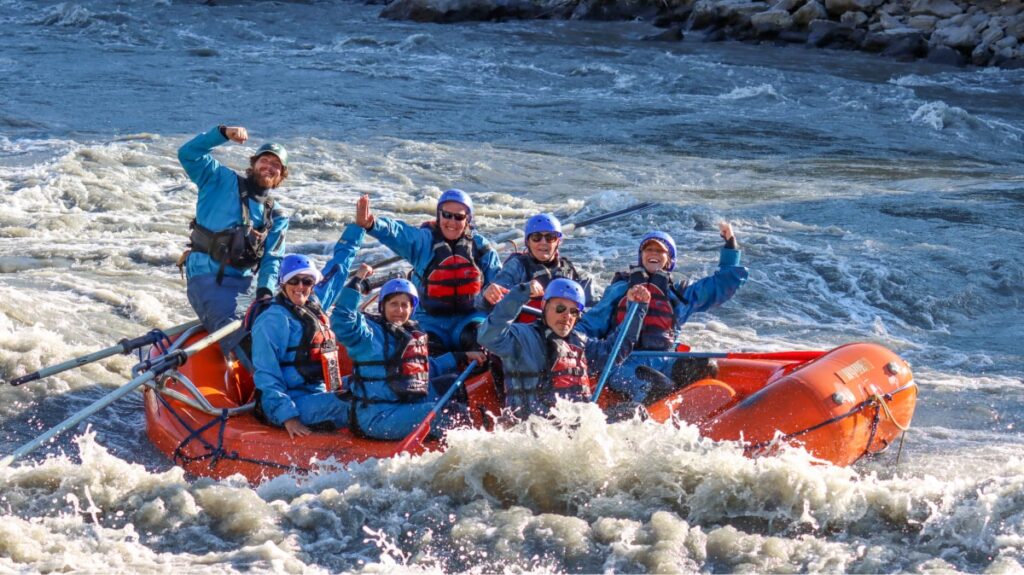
[839, 406]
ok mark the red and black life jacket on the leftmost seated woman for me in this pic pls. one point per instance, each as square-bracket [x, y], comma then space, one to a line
[317, 352]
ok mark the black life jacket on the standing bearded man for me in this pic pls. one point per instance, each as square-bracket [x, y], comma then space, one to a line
[241, 246]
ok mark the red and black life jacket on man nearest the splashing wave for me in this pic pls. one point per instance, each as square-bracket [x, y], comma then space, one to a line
[565, 375]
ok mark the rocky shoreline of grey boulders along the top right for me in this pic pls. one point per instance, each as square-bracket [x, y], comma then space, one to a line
[983, 33]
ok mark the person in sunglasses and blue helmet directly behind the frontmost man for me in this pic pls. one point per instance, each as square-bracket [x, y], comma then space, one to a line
[539, 264]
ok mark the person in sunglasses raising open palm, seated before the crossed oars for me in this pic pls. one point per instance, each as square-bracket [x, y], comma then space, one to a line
[452, 264]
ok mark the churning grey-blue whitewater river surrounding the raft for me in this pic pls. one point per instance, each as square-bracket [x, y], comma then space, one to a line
[875, 201]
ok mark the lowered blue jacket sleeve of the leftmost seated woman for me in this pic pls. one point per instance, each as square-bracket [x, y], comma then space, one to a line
[270, 344]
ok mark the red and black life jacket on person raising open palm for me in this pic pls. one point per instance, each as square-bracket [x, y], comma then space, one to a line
[454, 277]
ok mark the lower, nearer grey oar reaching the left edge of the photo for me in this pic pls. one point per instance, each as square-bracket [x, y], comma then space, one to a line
[153, 369]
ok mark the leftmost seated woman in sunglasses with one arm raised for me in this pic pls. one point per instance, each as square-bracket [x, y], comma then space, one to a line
[295, 352]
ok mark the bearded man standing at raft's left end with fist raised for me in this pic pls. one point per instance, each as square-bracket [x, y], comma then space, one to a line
[238, 232]
